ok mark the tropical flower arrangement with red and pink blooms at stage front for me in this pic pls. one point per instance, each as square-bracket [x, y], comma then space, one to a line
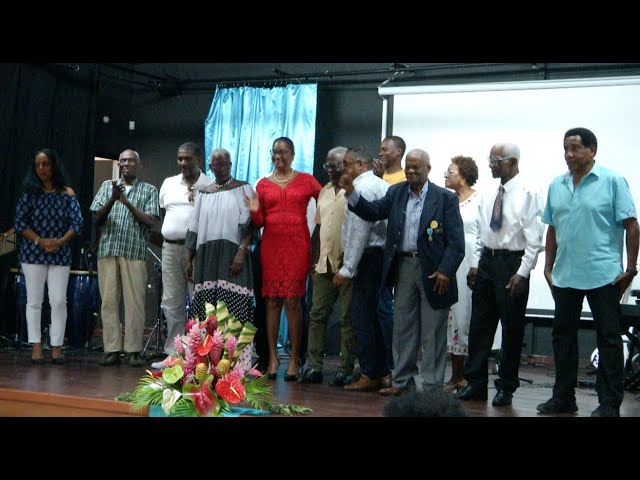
[211, 370]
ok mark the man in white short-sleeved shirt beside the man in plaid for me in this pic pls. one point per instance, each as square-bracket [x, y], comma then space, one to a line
[177, 196]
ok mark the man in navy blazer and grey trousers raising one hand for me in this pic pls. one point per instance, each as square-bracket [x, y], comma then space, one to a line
[424, 247]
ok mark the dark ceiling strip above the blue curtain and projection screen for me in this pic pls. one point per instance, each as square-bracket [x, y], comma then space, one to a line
[181, 78]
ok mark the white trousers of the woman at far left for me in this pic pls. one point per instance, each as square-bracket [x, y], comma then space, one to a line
[56, 277]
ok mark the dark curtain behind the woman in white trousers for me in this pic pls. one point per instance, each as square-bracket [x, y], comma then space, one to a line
[45, 106]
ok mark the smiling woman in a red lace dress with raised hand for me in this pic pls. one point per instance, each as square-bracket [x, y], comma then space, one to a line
[281, 208]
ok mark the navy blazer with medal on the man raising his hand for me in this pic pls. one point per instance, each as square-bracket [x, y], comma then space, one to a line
[444, 251]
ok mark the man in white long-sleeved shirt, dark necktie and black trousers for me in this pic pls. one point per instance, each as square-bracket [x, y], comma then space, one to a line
[510, 239]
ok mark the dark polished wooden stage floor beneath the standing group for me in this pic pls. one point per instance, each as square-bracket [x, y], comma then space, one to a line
[81, 376]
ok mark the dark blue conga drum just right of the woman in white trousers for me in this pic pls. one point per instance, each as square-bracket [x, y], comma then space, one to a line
[81, 307]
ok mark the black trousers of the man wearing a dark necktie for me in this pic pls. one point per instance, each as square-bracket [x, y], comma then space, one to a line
[490, 302]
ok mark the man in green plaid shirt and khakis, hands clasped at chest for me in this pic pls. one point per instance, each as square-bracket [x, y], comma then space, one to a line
[124, 210]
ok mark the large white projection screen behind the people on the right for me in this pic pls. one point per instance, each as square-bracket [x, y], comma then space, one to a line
[468, 119]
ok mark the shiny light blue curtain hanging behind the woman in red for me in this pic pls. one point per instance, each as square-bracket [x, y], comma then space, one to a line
[246, 121]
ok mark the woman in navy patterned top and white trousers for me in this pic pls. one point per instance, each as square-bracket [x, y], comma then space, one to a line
[48, 216]
